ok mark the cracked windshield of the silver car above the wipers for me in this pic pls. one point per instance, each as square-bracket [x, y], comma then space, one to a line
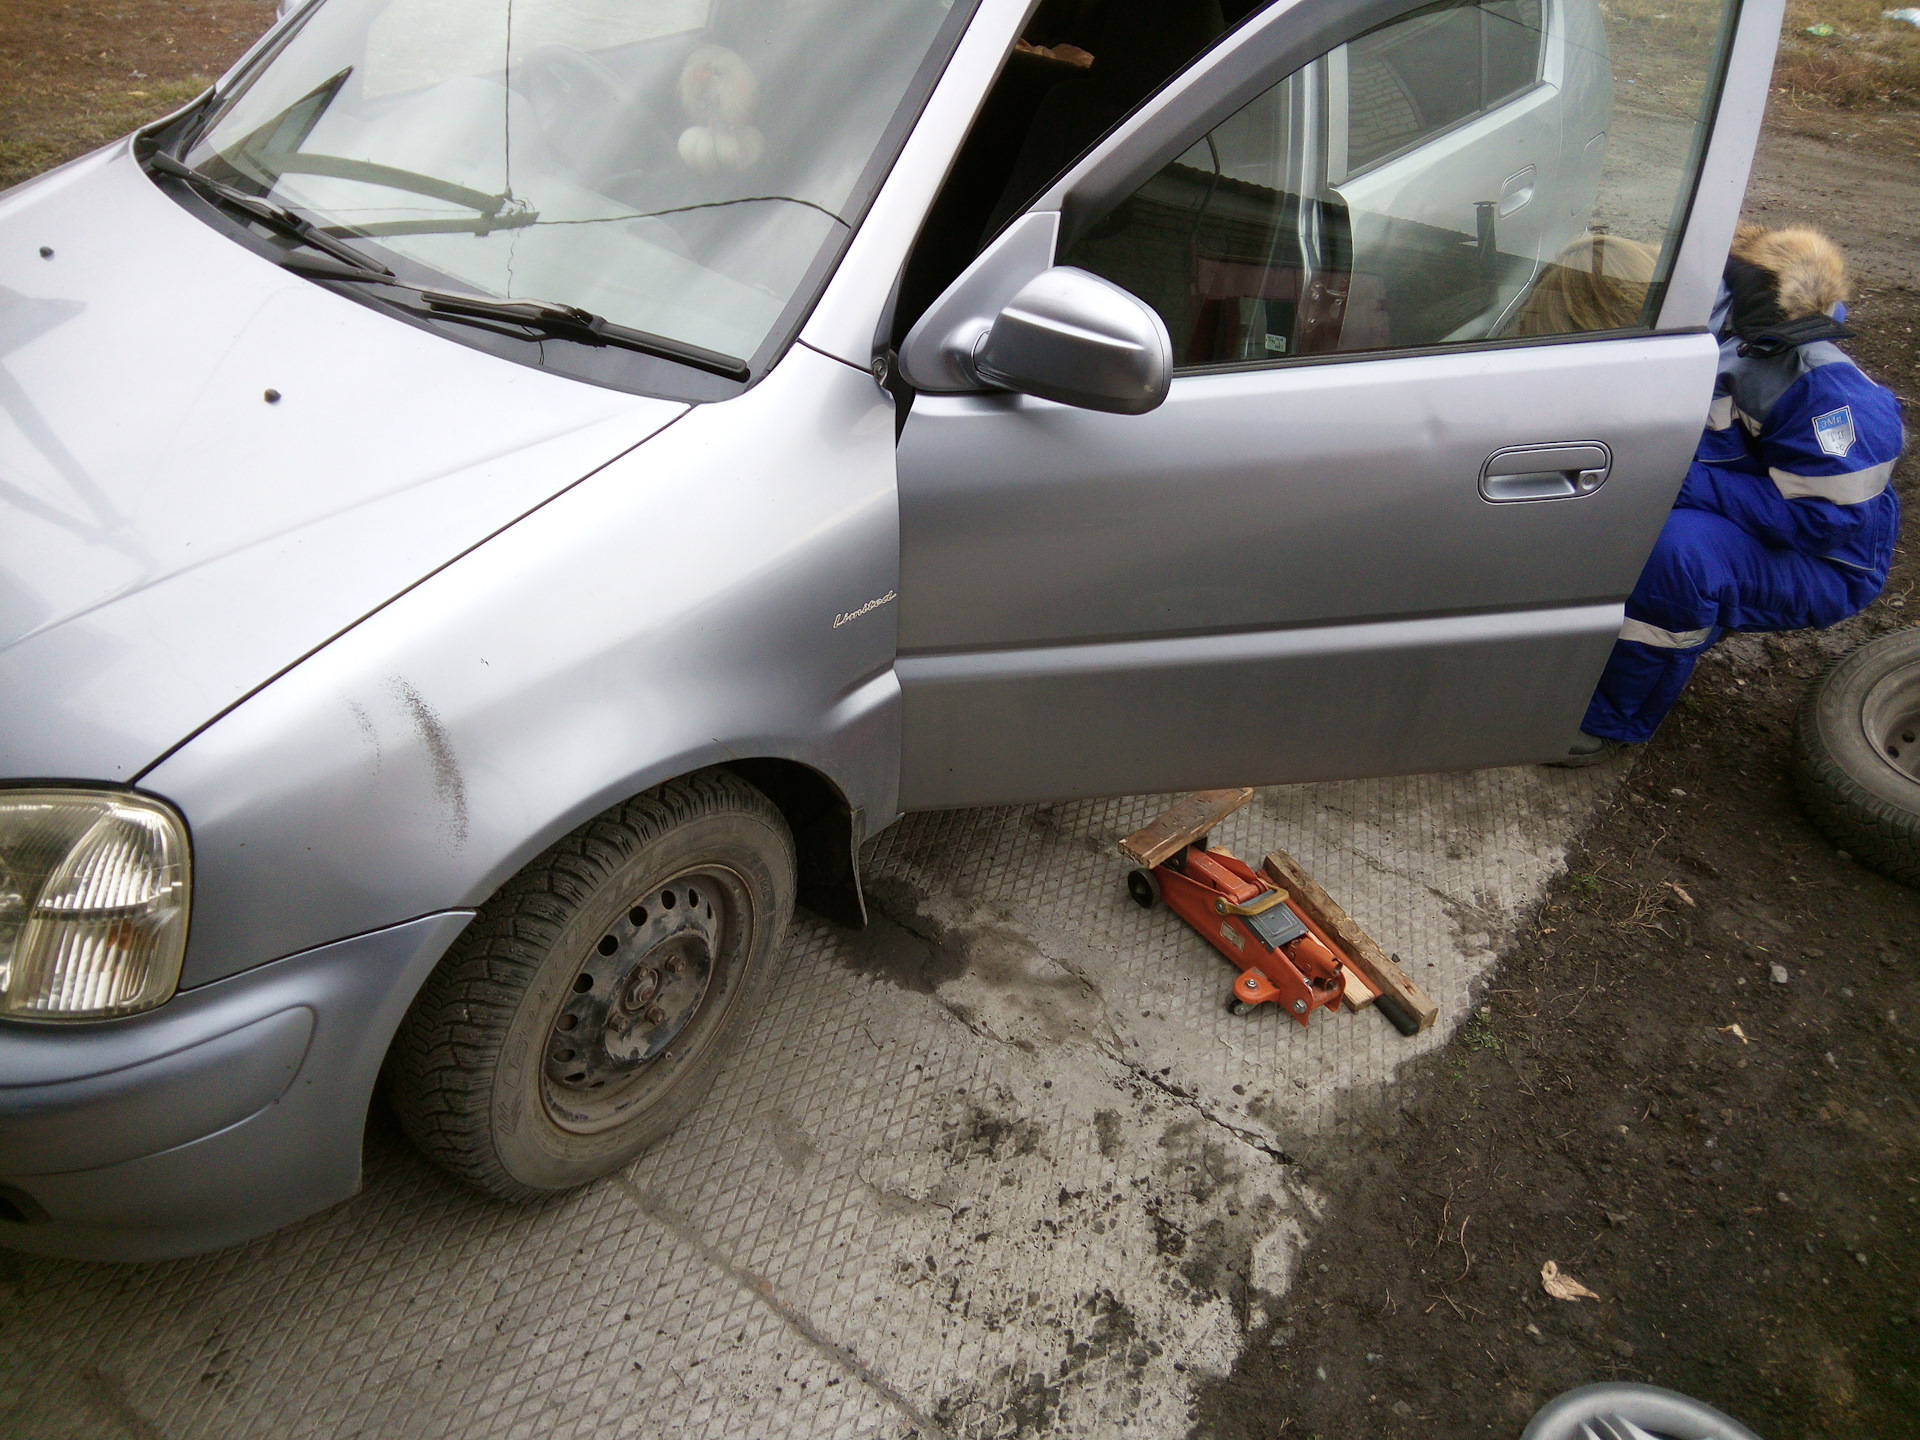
[673, 166]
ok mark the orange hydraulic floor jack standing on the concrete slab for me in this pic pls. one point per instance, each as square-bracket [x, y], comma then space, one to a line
[1282, 955]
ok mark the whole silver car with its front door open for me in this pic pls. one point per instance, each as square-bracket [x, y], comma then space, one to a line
[500, 502]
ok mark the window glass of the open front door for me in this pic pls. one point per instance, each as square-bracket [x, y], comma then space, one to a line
[1470, 172]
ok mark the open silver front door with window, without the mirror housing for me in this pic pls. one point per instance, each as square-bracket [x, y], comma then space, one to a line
[1397, 496]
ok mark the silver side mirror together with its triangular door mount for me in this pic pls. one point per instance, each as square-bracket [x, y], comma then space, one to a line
[1017, 322]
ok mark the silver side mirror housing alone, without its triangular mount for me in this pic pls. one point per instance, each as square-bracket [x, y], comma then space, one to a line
[1080, 341]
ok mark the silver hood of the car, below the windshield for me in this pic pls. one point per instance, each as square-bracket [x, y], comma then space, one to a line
[210, 468]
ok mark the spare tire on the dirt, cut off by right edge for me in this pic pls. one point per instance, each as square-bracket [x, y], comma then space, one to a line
[1858, 754]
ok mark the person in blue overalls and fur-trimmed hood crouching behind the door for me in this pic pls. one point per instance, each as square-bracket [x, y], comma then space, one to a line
[1787, 519]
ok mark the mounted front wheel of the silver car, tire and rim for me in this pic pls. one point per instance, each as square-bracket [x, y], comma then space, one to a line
[590, 1005]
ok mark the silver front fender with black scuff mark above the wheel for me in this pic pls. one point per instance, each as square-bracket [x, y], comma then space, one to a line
[725, 592]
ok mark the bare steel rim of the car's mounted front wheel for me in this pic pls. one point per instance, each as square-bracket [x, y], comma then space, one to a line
[646, 1001]
